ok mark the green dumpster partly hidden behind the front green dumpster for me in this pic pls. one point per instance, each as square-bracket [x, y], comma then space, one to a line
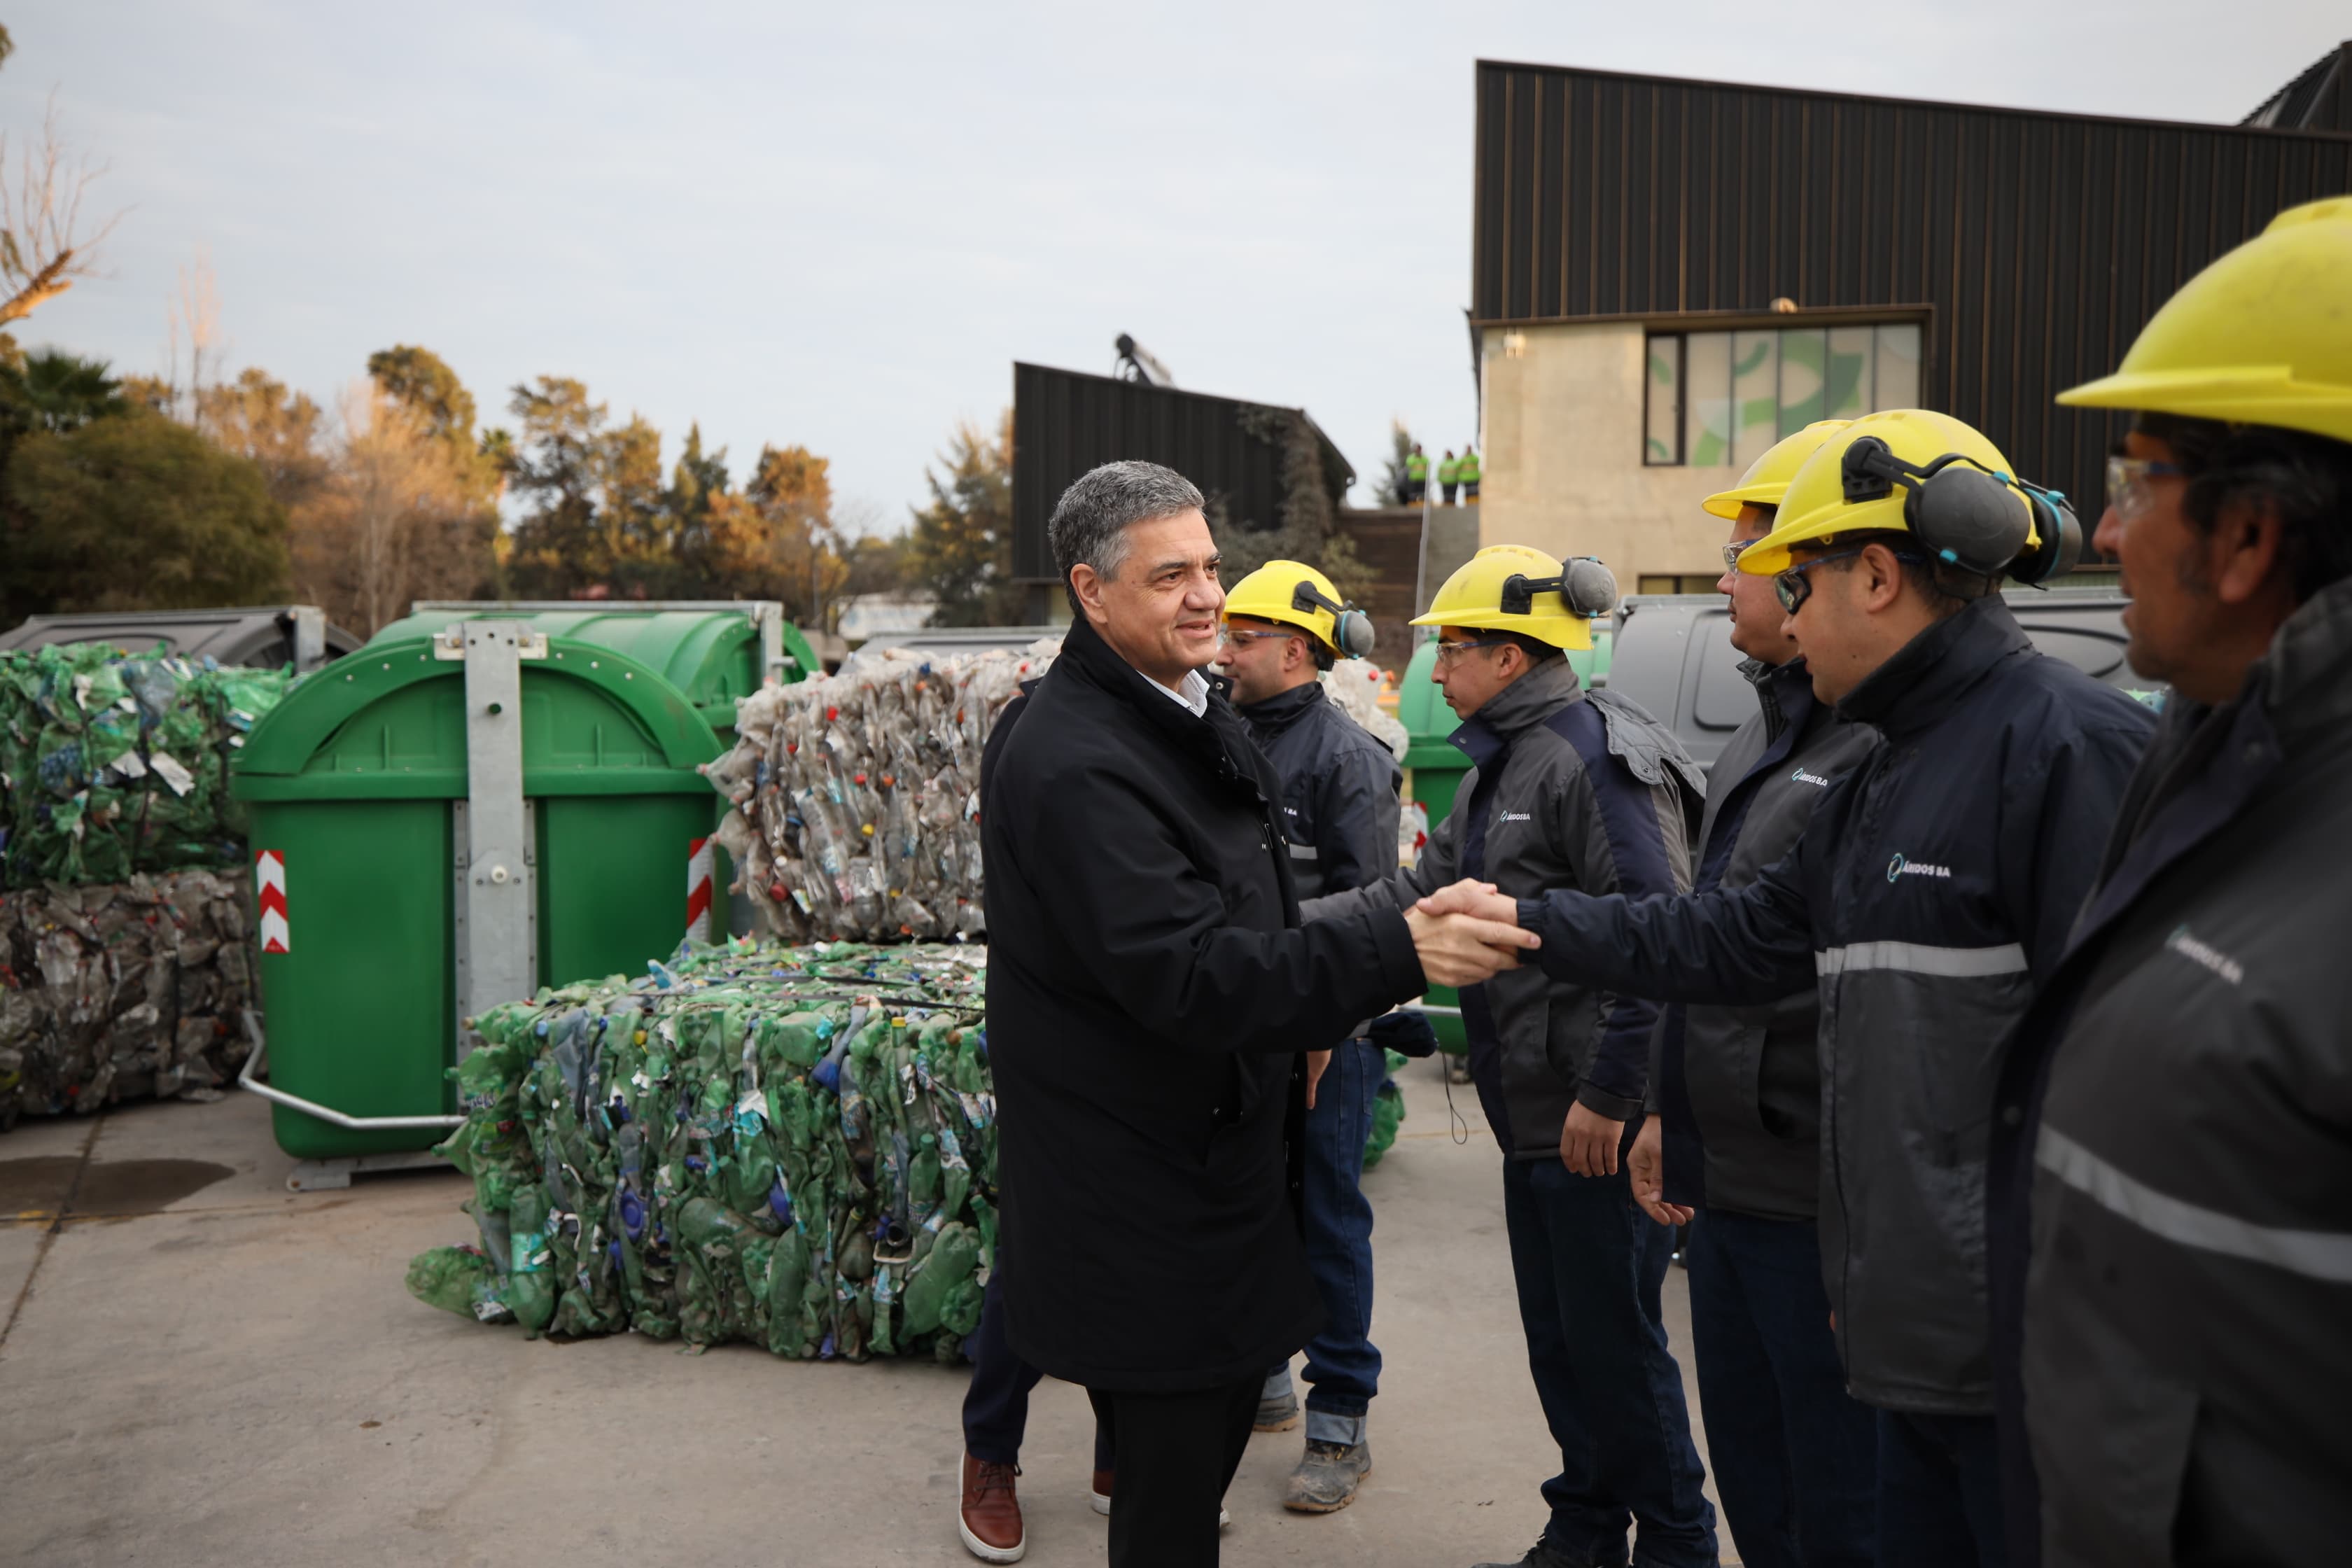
[711, 650]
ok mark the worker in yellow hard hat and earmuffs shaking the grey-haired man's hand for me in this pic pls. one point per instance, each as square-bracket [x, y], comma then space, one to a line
[1925, 897]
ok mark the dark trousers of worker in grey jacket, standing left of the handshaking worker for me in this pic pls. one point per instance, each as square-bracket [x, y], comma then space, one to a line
[1589, 1268]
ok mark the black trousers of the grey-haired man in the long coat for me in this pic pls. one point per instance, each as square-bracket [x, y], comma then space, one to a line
[1177, 1459]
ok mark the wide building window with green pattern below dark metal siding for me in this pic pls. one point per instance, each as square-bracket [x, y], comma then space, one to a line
[1720, 398]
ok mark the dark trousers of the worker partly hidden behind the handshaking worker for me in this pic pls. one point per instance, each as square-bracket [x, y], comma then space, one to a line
[1796, 1456]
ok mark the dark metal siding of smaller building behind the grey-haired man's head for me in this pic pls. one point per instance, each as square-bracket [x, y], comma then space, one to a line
[1069, 422]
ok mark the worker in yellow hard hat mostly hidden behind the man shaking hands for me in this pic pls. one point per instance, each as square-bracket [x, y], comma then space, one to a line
[1732, 1148]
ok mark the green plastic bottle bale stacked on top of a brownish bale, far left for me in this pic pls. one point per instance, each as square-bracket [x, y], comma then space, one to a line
[116, 763]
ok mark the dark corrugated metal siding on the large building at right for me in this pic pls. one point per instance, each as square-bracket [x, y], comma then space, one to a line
[2040, 243]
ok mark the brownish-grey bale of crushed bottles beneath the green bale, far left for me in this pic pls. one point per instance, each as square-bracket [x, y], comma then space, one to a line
[123, 991]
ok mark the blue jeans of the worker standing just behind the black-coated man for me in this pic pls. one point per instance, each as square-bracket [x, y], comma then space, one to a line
[1344, 1365]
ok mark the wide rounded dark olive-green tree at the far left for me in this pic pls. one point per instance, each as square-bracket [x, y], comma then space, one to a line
[135, 511]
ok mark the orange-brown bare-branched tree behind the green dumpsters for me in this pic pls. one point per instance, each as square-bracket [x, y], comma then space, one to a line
[396, 521]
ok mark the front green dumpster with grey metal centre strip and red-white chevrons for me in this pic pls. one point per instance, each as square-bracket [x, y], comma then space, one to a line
[441, 824]
